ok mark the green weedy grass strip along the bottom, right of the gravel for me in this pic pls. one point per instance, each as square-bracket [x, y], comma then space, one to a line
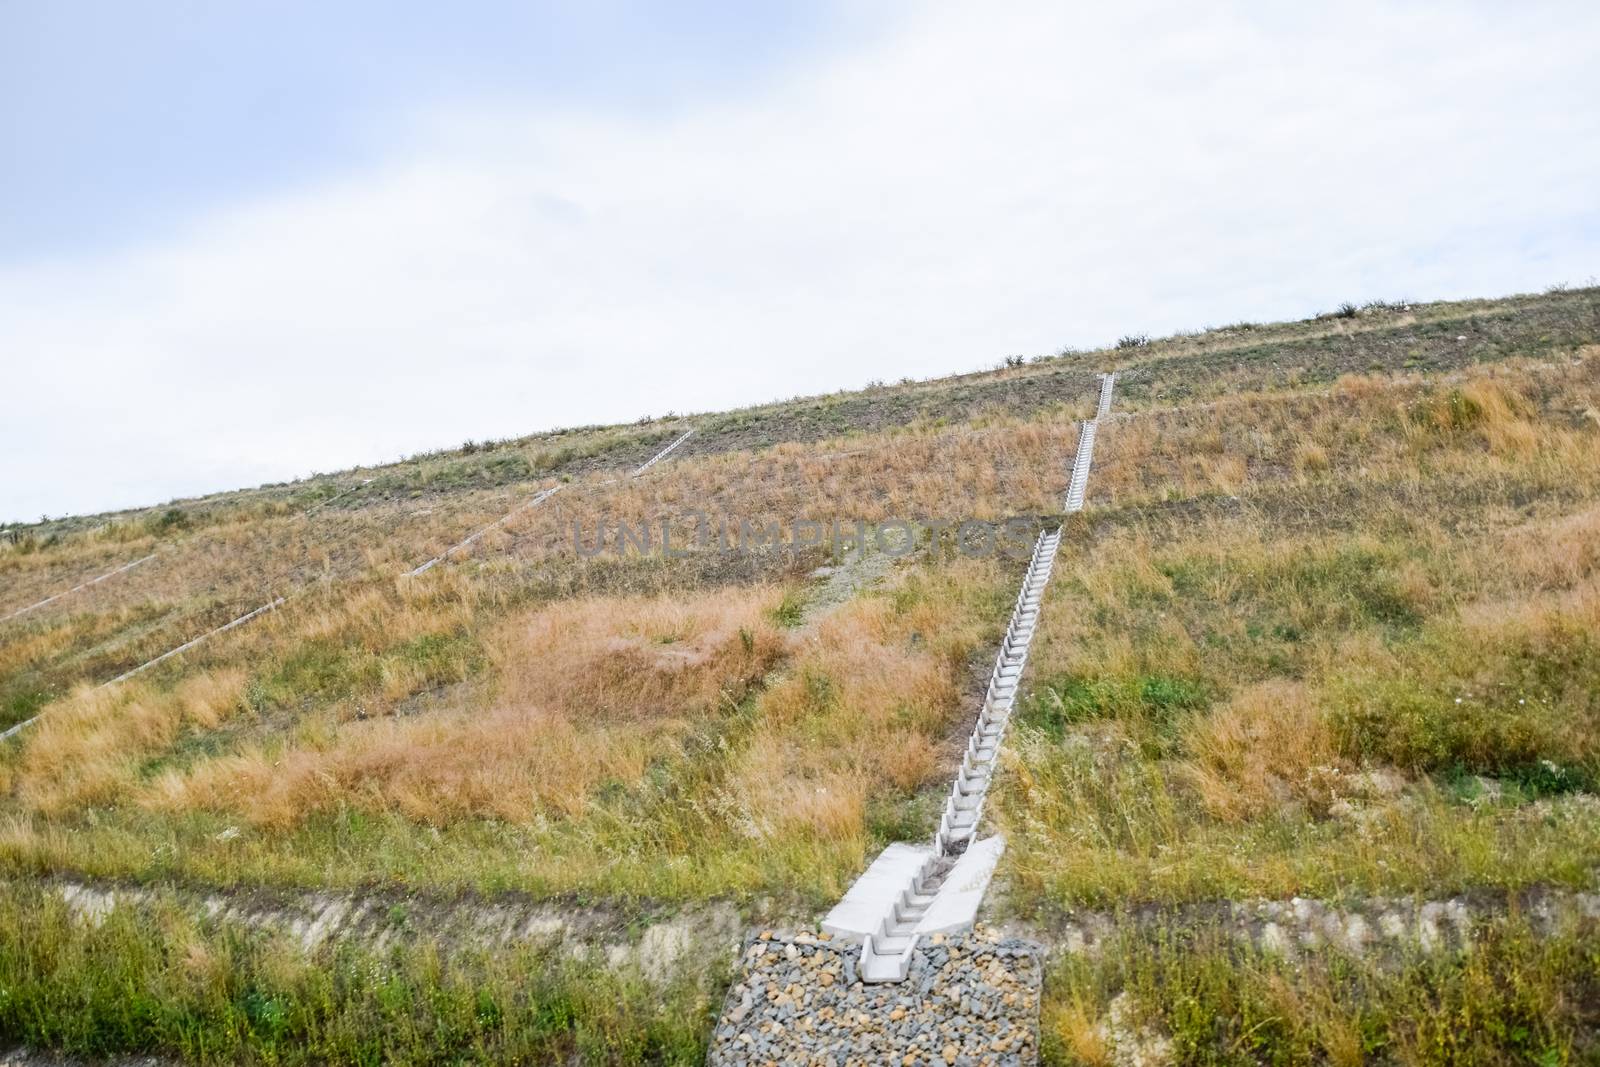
[1516, 997]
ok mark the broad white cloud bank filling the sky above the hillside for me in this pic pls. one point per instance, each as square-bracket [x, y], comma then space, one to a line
[985, 182]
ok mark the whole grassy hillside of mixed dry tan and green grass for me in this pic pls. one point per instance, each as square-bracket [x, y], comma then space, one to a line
[1306, 543]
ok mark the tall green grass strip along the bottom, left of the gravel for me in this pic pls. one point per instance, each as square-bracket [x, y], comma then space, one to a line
[159, 981]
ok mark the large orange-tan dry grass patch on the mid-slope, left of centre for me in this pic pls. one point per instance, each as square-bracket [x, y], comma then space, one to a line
[588, 692]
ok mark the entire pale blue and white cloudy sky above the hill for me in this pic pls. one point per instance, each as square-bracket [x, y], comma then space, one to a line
[242, 242]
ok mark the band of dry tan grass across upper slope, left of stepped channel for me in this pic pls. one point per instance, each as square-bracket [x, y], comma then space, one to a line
[1009, 465]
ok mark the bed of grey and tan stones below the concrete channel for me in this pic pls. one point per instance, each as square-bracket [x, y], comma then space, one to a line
[969, 999]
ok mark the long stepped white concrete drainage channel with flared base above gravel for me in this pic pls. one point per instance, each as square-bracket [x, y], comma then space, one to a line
[914, 892]
